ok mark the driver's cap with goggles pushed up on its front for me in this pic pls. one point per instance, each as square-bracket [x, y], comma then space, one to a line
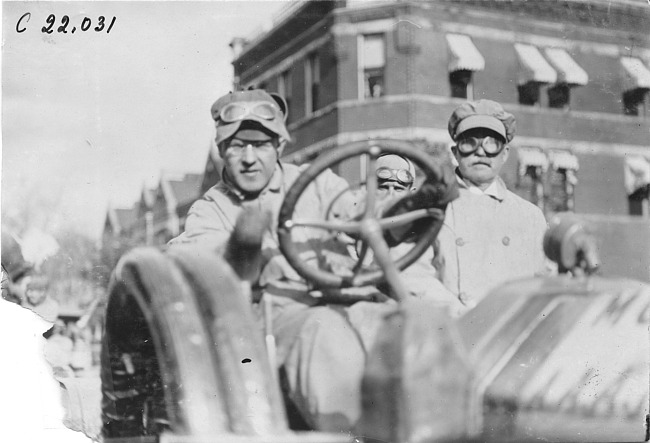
[267, 109]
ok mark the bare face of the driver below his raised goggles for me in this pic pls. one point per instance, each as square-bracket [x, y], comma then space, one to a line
[250, 161]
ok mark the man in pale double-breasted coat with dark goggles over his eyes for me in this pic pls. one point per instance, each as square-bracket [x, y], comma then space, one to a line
[490, 234]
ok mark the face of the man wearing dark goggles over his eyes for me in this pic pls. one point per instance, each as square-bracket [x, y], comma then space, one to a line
[480, 168]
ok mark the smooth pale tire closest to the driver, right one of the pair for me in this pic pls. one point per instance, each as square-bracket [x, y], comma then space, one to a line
[252, 399]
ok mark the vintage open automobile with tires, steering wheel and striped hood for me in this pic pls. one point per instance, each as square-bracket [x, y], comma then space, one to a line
[562, 358]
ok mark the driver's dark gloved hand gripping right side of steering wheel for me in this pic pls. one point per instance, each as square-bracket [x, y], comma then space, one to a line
[433, 193]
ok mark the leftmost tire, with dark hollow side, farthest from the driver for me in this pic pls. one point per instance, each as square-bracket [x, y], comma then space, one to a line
[157, 365]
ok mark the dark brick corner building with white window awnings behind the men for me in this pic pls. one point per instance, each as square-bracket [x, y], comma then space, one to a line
[575, 74]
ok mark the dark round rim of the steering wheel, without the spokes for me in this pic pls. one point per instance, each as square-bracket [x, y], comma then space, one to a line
[325, 279]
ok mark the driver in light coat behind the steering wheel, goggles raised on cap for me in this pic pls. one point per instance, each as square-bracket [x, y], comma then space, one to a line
[320, 349]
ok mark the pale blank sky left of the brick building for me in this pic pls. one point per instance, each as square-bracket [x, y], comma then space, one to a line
[90, 117]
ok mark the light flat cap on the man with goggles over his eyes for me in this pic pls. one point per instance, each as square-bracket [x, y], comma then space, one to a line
[482, 114]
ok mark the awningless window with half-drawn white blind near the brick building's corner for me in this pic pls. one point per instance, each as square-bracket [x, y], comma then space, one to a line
[372, 64]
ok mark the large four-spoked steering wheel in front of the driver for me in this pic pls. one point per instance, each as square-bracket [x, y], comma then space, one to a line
[371, 228]
